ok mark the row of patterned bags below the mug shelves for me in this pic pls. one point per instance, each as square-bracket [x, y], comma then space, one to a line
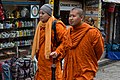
[18, 69]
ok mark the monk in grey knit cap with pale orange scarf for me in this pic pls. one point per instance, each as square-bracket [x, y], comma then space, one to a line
[44, 44]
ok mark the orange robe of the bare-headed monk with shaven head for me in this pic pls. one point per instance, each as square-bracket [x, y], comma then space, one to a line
[81, 60]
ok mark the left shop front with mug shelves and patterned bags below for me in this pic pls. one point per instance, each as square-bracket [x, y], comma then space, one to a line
[18, 19]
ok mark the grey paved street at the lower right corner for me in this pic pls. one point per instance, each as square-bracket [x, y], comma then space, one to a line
[109, 70]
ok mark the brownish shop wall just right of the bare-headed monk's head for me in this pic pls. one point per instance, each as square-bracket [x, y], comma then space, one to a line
[92, 11]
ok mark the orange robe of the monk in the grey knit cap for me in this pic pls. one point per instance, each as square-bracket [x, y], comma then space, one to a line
[44, 71]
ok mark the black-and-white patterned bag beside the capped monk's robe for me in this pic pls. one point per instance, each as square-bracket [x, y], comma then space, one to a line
[22, 68]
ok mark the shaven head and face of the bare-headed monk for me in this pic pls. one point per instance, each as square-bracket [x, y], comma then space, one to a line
[74, 18]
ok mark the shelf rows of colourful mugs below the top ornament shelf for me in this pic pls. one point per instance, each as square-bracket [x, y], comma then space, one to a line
[16, 34]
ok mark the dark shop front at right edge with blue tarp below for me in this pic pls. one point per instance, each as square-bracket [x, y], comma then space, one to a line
[112, 28]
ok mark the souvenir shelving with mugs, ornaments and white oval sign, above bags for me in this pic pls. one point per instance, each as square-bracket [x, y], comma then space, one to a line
[18, 27]
